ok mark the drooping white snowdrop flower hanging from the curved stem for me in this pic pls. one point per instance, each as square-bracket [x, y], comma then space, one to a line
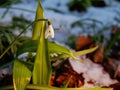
[49, 31]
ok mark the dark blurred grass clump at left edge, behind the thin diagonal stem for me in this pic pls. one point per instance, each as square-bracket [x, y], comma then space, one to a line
[6, 38]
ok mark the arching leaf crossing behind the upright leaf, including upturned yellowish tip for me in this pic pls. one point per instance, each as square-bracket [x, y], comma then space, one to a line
[31, 46]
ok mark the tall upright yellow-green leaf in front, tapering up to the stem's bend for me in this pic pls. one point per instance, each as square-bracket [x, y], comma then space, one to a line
[42, 68]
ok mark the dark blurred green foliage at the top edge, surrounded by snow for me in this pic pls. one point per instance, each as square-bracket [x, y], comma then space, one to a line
[82, 5]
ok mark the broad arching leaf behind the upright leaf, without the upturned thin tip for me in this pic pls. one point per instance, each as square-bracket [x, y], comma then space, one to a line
[31, 46]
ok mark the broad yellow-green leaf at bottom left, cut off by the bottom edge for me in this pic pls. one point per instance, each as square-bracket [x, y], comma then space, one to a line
[21, 75]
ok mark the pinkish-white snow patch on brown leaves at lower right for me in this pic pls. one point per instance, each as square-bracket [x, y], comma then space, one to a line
[92, 72]
